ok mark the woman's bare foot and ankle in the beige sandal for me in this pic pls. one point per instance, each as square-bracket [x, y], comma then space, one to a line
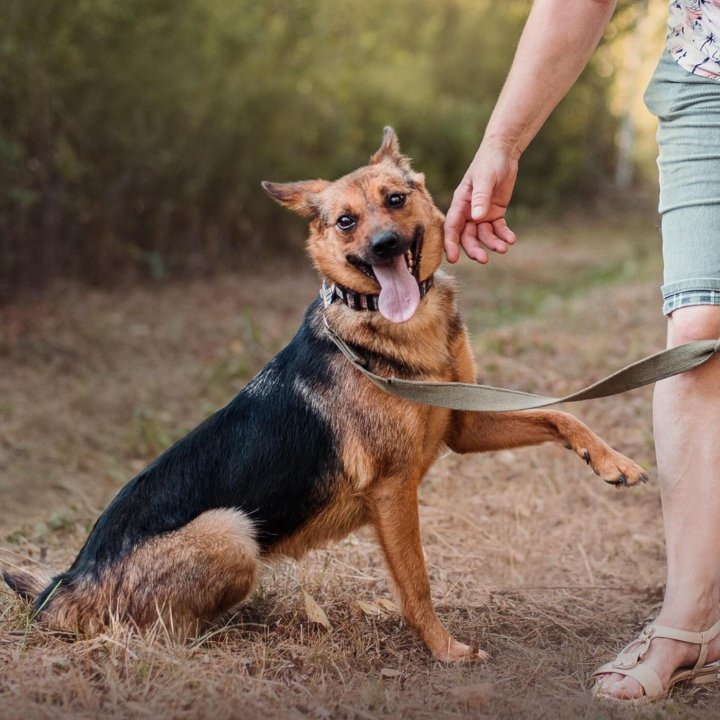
[664, 656]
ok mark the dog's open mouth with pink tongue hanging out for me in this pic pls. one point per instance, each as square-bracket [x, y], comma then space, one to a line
[399, 279]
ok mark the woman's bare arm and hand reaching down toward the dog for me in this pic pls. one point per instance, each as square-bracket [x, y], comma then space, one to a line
[556, 44]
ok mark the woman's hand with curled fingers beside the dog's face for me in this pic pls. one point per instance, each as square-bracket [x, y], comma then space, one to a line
[476, 217]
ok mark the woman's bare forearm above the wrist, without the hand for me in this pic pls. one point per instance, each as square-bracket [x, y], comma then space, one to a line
[556, 44]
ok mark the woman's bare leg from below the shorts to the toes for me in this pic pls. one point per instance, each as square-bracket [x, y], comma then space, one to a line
[686, 414]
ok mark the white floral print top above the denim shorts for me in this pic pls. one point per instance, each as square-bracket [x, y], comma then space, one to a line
[693, 37]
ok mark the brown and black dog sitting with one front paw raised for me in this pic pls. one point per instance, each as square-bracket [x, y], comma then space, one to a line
[310, 449]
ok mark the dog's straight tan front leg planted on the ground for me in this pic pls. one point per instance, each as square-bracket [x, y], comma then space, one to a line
[394, 512]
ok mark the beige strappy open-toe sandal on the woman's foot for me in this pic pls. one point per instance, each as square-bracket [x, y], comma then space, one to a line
[629, 662]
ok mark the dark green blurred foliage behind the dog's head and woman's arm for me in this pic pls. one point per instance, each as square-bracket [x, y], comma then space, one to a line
[134, 134]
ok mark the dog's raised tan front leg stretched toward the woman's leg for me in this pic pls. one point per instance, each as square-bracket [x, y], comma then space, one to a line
[484, 431]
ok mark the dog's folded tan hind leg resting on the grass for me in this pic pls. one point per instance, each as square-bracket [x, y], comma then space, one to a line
[184, 579]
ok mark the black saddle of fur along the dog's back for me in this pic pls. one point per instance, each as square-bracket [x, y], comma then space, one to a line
[268, 452]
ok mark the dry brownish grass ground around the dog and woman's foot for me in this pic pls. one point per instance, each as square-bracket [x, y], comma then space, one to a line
[530, 555]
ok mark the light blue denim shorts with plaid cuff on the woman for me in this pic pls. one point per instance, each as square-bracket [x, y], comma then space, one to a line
[688, 109]
